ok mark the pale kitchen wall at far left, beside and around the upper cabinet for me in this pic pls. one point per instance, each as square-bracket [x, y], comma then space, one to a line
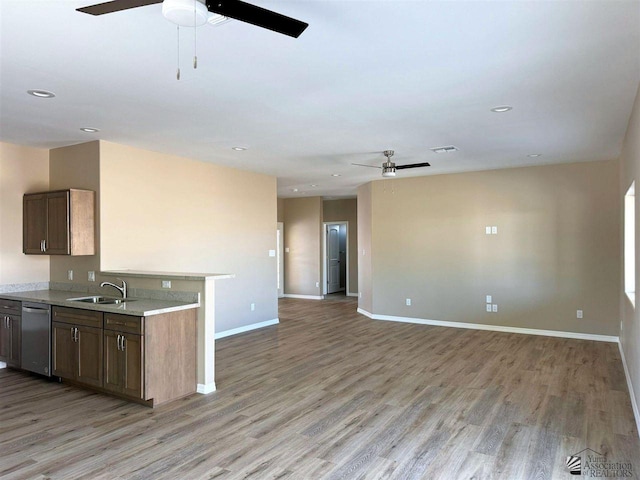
[22, 170]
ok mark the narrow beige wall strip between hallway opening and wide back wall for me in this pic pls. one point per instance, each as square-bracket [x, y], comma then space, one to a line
[365, 267]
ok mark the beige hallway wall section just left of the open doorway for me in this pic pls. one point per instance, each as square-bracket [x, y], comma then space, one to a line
[303, 238]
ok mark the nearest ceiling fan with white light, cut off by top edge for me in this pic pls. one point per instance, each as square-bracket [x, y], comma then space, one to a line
[194, 13]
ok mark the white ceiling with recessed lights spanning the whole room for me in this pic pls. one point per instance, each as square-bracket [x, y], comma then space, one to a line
[364, 77]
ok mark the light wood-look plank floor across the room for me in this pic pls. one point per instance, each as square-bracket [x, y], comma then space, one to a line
[330, 394]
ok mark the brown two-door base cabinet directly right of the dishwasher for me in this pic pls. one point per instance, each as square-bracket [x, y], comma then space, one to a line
[77, 345]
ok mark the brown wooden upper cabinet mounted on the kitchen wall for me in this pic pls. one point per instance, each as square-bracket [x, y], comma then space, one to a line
[59, 223]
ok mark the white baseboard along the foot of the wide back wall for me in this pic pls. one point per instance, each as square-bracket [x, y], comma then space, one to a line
[493, 328]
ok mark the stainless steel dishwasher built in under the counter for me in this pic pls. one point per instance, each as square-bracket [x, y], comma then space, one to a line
[36, 338]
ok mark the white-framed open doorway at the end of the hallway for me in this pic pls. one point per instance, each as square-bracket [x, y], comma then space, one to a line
[336, 257]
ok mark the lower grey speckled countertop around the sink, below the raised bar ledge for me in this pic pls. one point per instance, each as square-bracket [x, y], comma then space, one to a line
[140, 307]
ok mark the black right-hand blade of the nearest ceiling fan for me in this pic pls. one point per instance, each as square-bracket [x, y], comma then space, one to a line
[245, 12]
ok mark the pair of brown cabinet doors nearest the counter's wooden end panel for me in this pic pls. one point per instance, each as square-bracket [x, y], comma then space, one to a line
[123, 363]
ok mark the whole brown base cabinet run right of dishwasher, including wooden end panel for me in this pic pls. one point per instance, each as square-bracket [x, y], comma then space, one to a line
[146, 359]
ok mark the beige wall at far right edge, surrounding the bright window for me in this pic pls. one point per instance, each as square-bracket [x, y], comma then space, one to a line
[630, 325]
